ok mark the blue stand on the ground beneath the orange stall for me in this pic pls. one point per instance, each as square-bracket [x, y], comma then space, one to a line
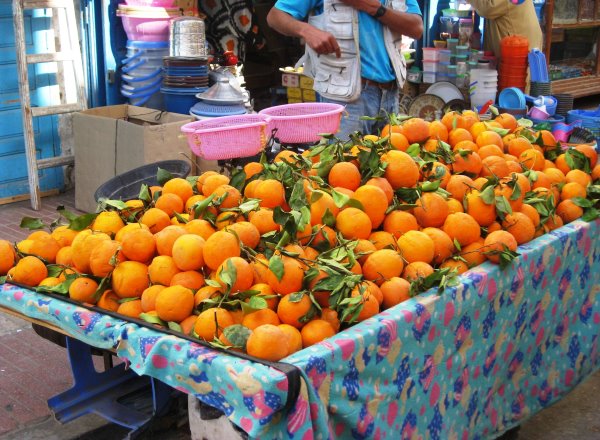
[118, 394]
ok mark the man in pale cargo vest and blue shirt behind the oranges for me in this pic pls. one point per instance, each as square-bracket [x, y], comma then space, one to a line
[352, 51]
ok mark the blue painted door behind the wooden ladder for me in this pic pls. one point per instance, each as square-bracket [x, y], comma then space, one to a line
[42, 82]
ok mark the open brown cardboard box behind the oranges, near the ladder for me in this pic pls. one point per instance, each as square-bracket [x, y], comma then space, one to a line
[111, 140]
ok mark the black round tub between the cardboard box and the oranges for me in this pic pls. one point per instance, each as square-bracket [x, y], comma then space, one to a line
[126, 186]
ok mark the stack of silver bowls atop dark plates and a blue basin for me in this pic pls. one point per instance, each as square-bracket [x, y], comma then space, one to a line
[185, 70]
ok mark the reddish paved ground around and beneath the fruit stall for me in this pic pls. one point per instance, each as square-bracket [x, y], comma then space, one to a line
[33, 369]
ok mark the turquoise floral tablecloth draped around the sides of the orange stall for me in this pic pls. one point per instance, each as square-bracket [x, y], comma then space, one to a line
[470, 363]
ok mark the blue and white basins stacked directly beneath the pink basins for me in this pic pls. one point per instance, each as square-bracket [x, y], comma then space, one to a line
[142, 73]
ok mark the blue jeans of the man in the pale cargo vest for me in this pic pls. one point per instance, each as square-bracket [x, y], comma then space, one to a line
[373, 101]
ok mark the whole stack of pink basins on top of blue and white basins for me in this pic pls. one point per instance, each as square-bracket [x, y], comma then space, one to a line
[146, 23]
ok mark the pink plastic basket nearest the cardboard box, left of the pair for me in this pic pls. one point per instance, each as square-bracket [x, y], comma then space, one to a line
[227, 137]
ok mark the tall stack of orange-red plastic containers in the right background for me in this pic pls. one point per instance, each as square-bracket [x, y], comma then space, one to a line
[513, 62]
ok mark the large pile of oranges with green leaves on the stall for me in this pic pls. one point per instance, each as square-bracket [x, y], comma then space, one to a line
[281, 255]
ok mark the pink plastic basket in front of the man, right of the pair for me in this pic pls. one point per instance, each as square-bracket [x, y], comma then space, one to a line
[303, 122]
